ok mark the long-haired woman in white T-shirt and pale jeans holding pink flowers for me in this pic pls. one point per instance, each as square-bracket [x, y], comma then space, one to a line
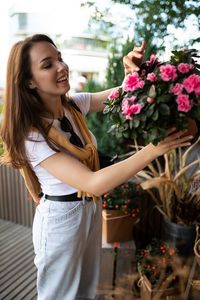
[45, 135]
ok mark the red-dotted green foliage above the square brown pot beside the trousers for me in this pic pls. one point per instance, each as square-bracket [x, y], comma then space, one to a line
[125, 197]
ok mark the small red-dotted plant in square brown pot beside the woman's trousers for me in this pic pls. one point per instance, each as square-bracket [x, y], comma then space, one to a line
[121, 212]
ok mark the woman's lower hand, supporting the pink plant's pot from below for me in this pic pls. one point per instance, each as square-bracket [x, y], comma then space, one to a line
[173, 141]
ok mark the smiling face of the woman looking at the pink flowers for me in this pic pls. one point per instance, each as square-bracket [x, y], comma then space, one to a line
[50, 74]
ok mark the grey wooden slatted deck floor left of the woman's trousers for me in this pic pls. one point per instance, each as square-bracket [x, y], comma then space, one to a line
[17, 271]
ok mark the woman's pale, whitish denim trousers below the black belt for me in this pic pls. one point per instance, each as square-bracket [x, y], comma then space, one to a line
[67, 245]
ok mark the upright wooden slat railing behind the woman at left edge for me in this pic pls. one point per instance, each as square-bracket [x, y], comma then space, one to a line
[14, 203]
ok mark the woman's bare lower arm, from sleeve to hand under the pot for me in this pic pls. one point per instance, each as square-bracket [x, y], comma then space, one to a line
[71, 171]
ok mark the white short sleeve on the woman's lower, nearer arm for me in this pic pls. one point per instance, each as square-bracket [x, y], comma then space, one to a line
[37, 149]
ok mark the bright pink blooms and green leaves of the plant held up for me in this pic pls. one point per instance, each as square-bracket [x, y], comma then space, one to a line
[159, 96]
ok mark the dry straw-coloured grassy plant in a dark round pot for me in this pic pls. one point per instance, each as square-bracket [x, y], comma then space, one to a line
[173, 185]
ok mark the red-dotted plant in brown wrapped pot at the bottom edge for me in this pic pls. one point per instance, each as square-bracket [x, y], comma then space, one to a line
[161, 272]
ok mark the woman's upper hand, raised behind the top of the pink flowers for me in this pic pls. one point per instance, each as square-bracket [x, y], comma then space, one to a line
[133, 59]
